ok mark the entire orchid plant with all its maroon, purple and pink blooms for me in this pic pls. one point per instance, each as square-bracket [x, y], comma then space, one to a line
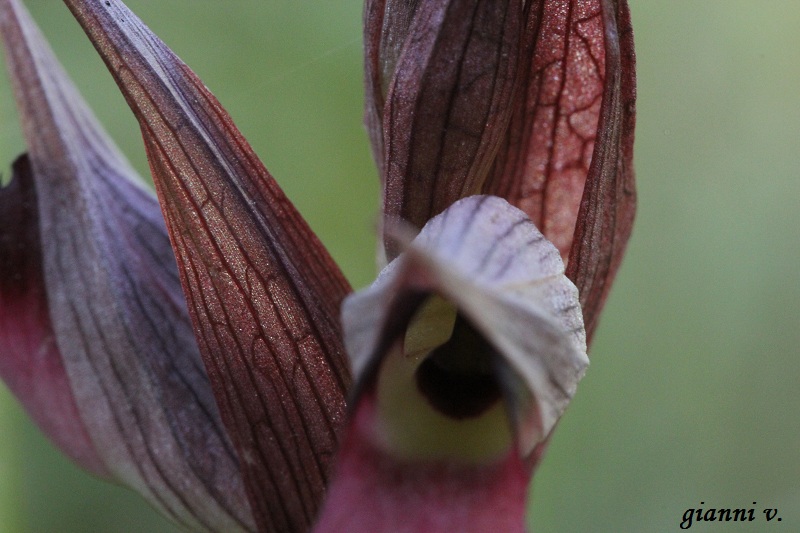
[215, 359]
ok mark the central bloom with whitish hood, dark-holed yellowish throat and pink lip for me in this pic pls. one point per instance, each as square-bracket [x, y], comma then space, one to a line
[467, 350]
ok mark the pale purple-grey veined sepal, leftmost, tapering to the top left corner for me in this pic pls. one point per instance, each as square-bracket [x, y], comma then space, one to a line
[117, 311]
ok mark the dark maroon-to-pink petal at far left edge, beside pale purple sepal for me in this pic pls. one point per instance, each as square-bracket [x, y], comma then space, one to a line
[30, 361]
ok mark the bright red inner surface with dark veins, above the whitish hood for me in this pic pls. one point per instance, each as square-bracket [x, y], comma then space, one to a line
[544, 163]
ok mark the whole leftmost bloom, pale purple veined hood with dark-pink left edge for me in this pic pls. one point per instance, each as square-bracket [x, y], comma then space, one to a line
[95, 337]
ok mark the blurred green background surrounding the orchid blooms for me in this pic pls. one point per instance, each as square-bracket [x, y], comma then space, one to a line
[693, 391]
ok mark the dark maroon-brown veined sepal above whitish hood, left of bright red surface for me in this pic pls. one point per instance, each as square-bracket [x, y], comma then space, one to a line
[447, 105]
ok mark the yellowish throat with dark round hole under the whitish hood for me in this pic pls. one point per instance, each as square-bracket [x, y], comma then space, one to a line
[438, 394]
